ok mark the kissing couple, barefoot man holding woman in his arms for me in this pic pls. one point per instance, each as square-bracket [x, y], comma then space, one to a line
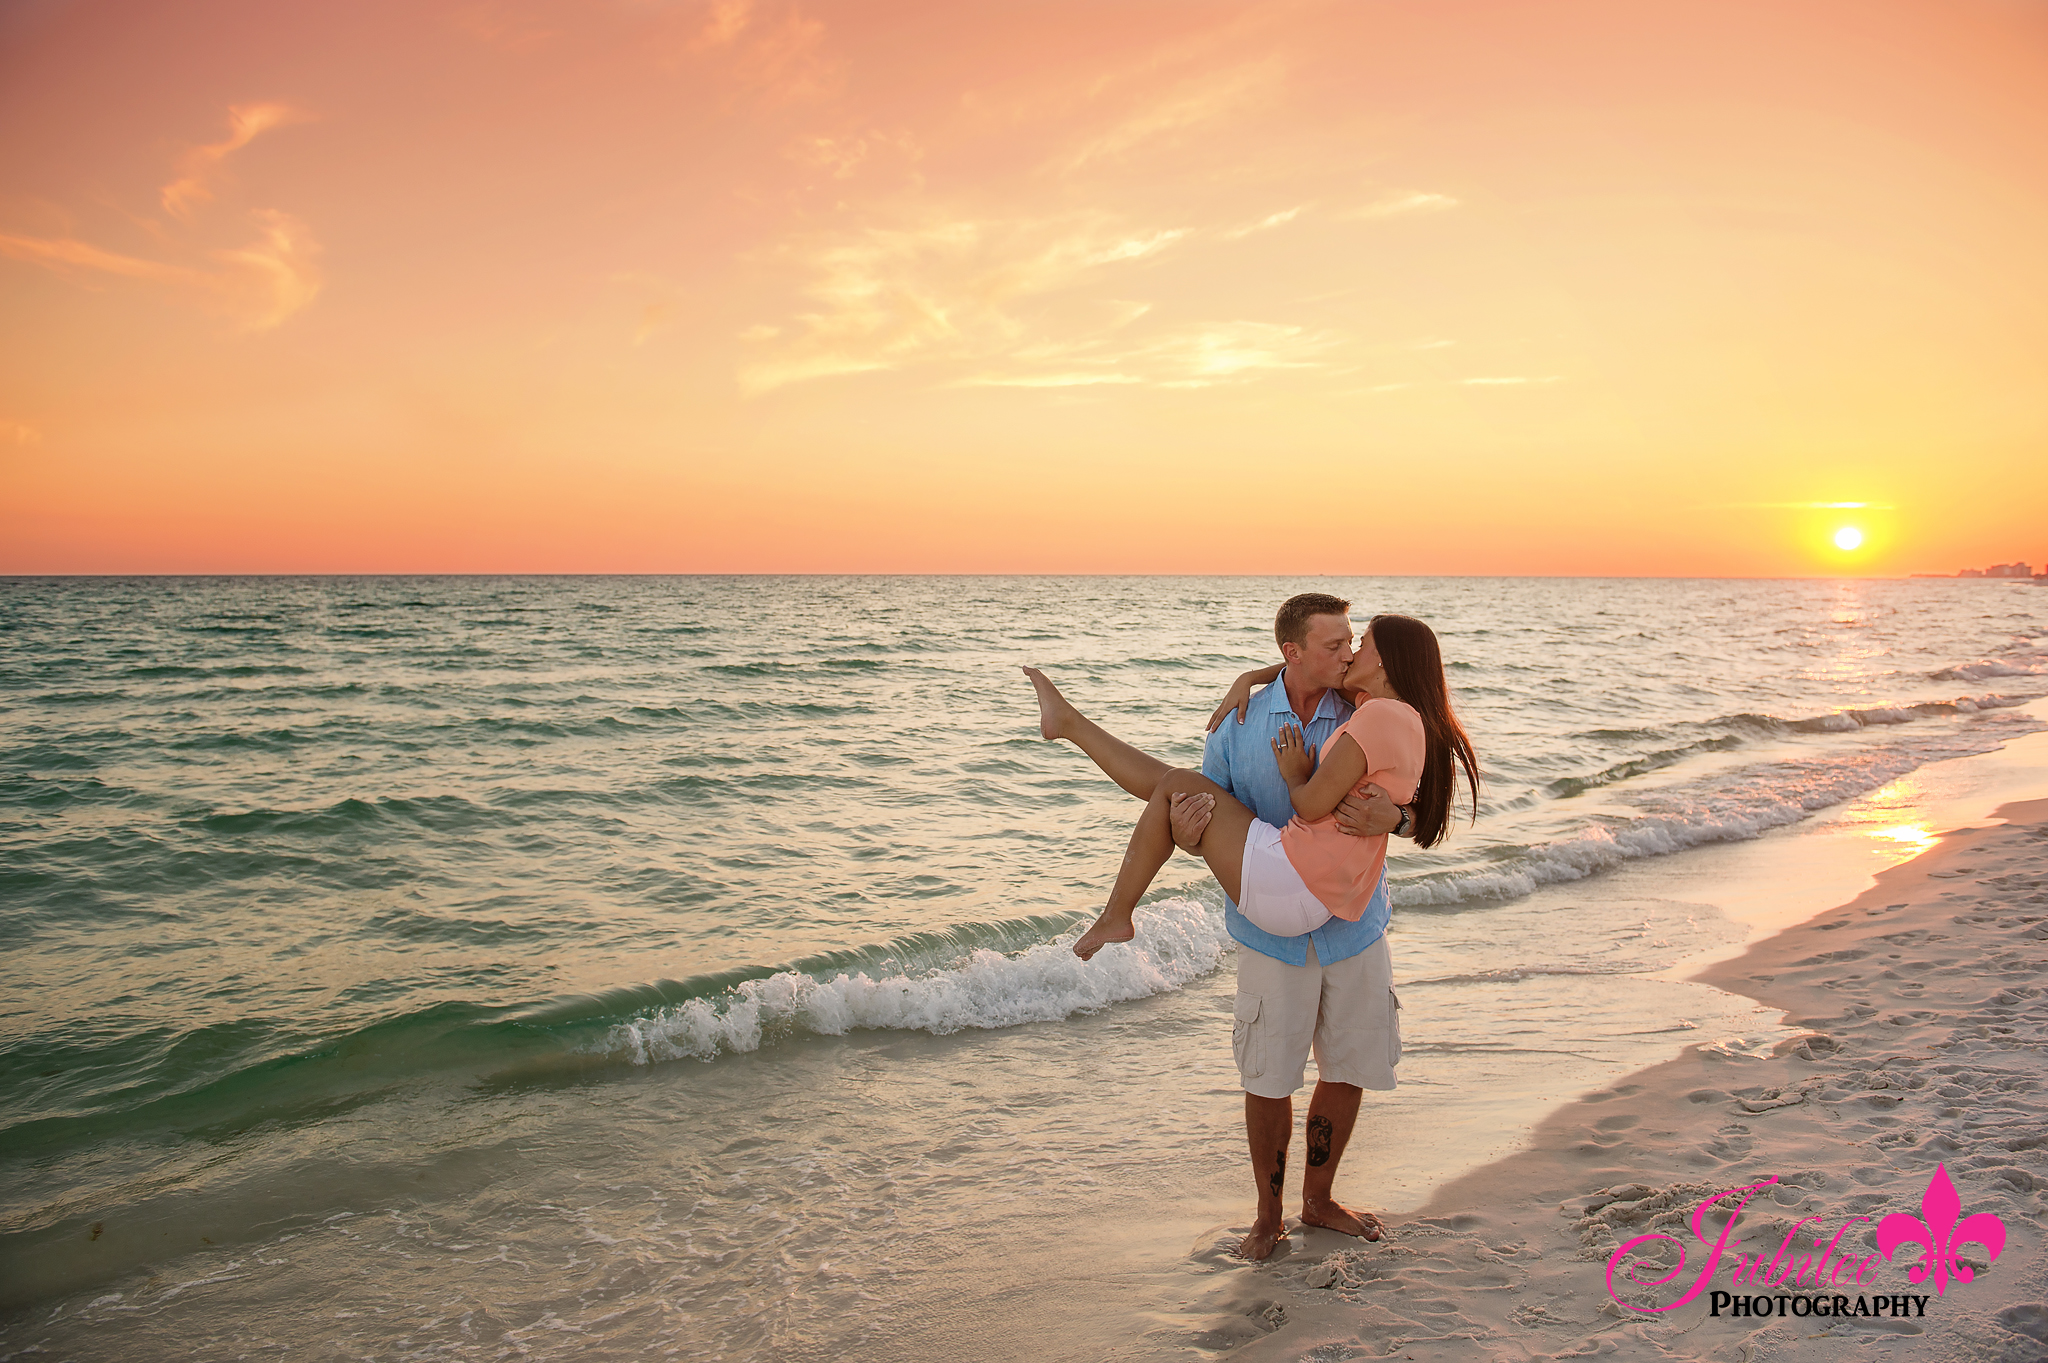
[1291, 811]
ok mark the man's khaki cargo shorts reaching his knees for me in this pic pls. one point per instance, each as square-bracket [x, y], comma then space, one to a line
[1347, 1014]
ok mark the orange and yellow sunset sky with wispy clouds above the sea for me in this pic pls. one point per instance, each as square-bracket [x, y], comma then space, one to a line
[1586, 288]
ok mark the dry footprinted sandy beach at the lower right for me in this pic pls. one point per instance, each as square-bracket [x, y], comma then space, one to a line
[1920, 1004]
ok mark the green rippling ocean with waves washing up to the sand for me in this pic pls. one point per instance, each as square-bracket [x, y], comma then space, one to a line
[673, 967]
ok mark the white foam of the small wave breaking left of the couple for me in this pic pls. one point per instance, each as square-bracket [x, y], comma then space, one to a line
[1177, 942]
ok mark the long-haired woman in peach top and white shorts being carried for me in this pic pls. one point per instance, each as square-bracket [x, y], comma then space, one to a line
[1404, 738]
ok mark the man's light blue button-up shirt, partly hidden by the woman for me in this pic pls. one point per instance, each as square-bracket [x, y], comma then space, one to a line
[1240, 758]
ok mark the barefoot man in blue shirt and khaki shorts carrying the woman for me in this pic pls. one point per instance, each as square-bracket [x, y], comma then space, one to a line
[1328, 992]
